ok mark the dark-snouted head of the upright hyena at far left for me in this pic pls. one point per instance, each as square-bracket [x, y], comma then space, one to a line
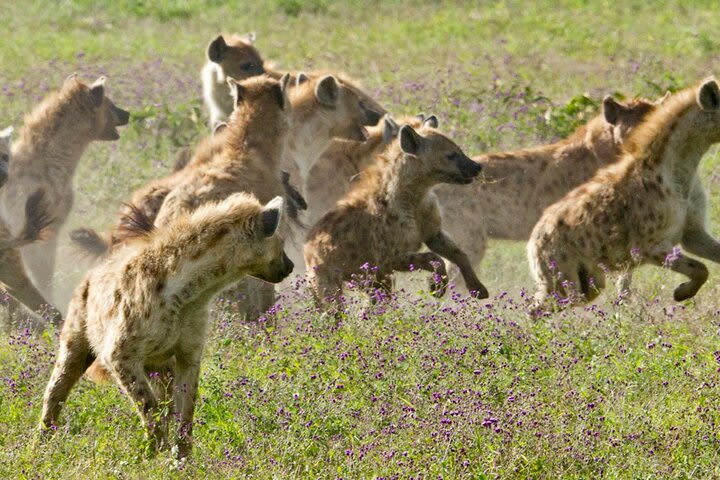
[100, 116]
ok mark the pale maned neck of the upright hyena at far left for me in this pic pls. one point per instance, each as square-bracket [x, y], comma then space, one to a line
[51, 140]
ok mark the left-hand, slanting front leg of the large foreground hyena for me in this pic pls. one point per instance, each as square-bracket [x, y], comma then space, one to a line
[130, 374]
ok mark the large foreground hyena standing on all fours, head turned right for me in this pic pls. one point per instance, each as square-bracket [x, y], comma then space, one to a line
[145, 307]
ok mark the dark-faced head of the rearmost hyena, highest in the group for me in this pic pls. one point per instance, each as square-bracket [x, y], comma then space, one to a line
[236, 56]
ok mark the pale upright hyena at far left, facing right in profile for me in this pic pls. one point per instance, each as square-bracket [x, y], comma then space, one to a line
[54, 137]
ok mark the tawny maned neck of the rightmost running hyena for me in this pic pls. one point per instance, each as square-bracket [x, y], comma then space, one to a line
[667, 141]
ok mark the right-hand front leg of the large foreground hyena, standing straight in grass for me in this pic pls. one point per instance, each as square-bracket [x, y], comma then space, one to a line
[185, 386]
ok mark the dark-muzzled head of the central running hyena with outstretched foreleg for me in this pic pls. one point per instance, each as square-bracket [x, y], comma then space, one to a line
[437, 157]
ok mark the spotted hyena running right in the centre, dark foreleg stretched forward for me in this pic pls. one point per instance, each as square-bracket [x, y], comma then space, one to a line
[389, 214]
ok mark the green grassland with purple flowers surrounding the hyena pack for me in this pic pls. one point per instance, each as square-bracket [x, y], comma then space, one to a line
[416, 388]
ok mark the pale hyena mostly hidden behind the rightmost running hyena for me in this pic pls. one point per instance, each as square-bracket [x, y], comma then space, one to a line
[517, 186]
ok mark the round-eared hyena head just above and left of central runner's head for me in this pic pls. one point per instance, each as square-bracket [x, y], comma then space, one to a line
[341, 106]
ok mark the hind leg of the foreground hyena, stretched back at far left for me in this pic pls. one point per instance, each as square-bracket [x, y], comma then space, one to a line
[73, 359]
